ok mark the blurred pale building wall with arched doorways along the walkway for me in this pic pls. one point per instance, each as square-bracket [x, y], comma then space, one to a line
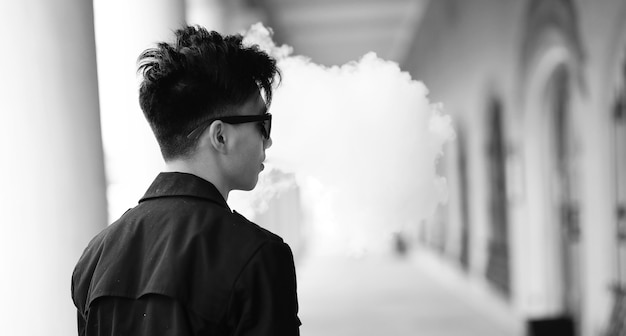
[472, 54]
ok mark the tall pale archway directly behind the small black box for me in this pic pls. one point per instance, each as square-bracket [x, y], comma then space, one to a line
[553, 194]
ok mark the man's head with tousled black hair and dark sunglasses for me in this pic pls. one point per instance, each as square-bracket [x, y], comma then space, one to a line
[206, 98]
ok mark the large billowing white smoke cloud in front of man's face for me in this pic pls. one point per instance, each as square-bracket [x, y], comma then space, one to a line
[366, 133]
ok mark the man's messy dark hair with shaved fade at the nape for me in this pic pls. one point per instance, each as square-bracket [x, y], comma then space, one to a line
[199, 76]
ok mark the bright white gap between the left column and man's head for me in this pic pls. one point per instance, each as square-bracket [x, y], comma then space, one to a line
[123, 30]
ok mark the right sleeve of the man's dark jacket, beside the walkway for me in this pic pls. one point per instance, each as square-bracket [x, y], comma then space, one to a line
[264, 301]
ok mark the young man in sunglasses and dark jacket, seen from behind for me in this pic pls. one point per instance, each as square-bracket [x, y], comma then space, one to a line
[181, 262]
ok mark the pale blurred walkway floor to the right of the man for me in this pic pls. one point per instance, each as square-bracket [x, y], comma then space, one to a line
[385, 296]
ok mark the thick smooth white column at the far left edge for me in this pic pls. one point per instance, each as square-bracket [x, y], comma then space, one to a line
[52, 188]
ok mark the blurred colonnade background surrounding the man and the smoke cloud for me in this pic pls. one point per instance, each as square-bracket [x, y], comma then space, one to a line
[531, 241]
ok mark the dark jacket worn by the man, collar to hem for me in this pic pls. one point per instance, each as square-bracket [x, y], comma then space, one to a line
[182, 255]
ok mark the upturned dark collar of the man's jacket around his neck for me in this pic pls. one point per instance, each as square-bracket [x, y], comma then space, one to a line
[183, 184]
